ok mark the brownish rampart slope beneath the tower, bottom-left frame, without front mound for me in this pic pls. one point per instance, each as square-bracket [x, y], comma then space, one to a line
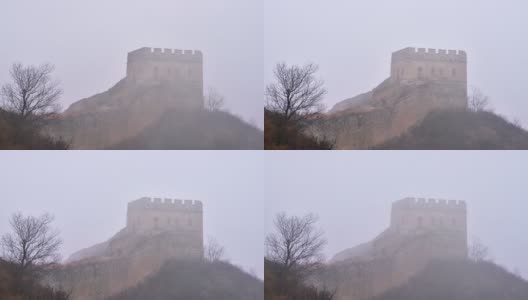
[121, 262]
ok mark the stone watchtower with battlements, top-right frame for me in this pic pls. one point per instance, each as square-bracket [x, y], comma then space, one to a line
[446, 69]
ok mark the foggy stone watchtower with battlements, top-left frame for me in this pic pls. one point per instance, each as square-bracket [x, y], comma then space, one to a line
[181, 70]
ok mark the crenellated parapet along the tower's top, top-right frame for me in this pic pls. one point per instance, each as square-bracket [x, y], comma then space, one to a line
[429, 54]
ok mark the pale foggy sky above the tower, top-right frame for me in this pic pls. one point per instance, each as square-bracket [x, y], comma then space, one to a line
[352, 42]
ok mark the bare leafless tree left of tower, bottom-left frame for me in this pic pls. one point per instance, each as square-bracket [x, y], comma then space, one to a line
[33, 242]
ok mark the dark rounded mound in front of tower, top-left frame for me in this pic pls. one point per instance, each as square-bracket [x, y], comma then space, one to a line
[196, 130]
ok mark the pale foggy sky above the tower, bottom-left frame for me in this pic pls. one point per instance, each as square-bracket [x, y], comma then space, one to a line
[88, 192]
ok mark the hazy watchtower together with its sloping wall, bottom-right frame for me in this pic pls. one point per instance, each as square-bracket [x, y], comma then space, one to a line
[421, 231]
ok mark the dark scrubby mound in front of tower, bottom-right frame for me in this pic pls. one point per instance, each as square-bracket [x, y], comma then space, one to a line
[457, 280]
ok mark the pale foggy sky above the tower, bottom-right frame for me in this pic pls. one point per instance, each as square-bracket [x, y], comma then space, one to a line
[352, 192]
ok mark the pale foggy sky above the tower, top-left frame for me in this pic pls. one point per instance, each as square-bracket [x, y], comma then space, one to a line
[88, 42]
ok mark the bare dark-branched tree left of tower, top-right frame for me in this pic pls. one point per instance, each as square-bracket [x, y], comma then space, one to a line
[296, 92]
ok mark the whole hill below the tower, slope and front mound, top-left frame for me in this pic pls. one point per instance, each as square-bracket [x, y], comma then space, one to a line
[151, 116]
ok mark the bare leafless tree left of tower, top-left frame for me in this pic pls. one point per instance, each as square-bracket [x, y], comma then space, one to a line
[32, 92]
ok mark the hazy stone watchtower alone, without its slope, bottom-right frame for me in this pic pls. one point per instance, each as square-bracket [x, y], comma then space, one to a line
[446, 220]
